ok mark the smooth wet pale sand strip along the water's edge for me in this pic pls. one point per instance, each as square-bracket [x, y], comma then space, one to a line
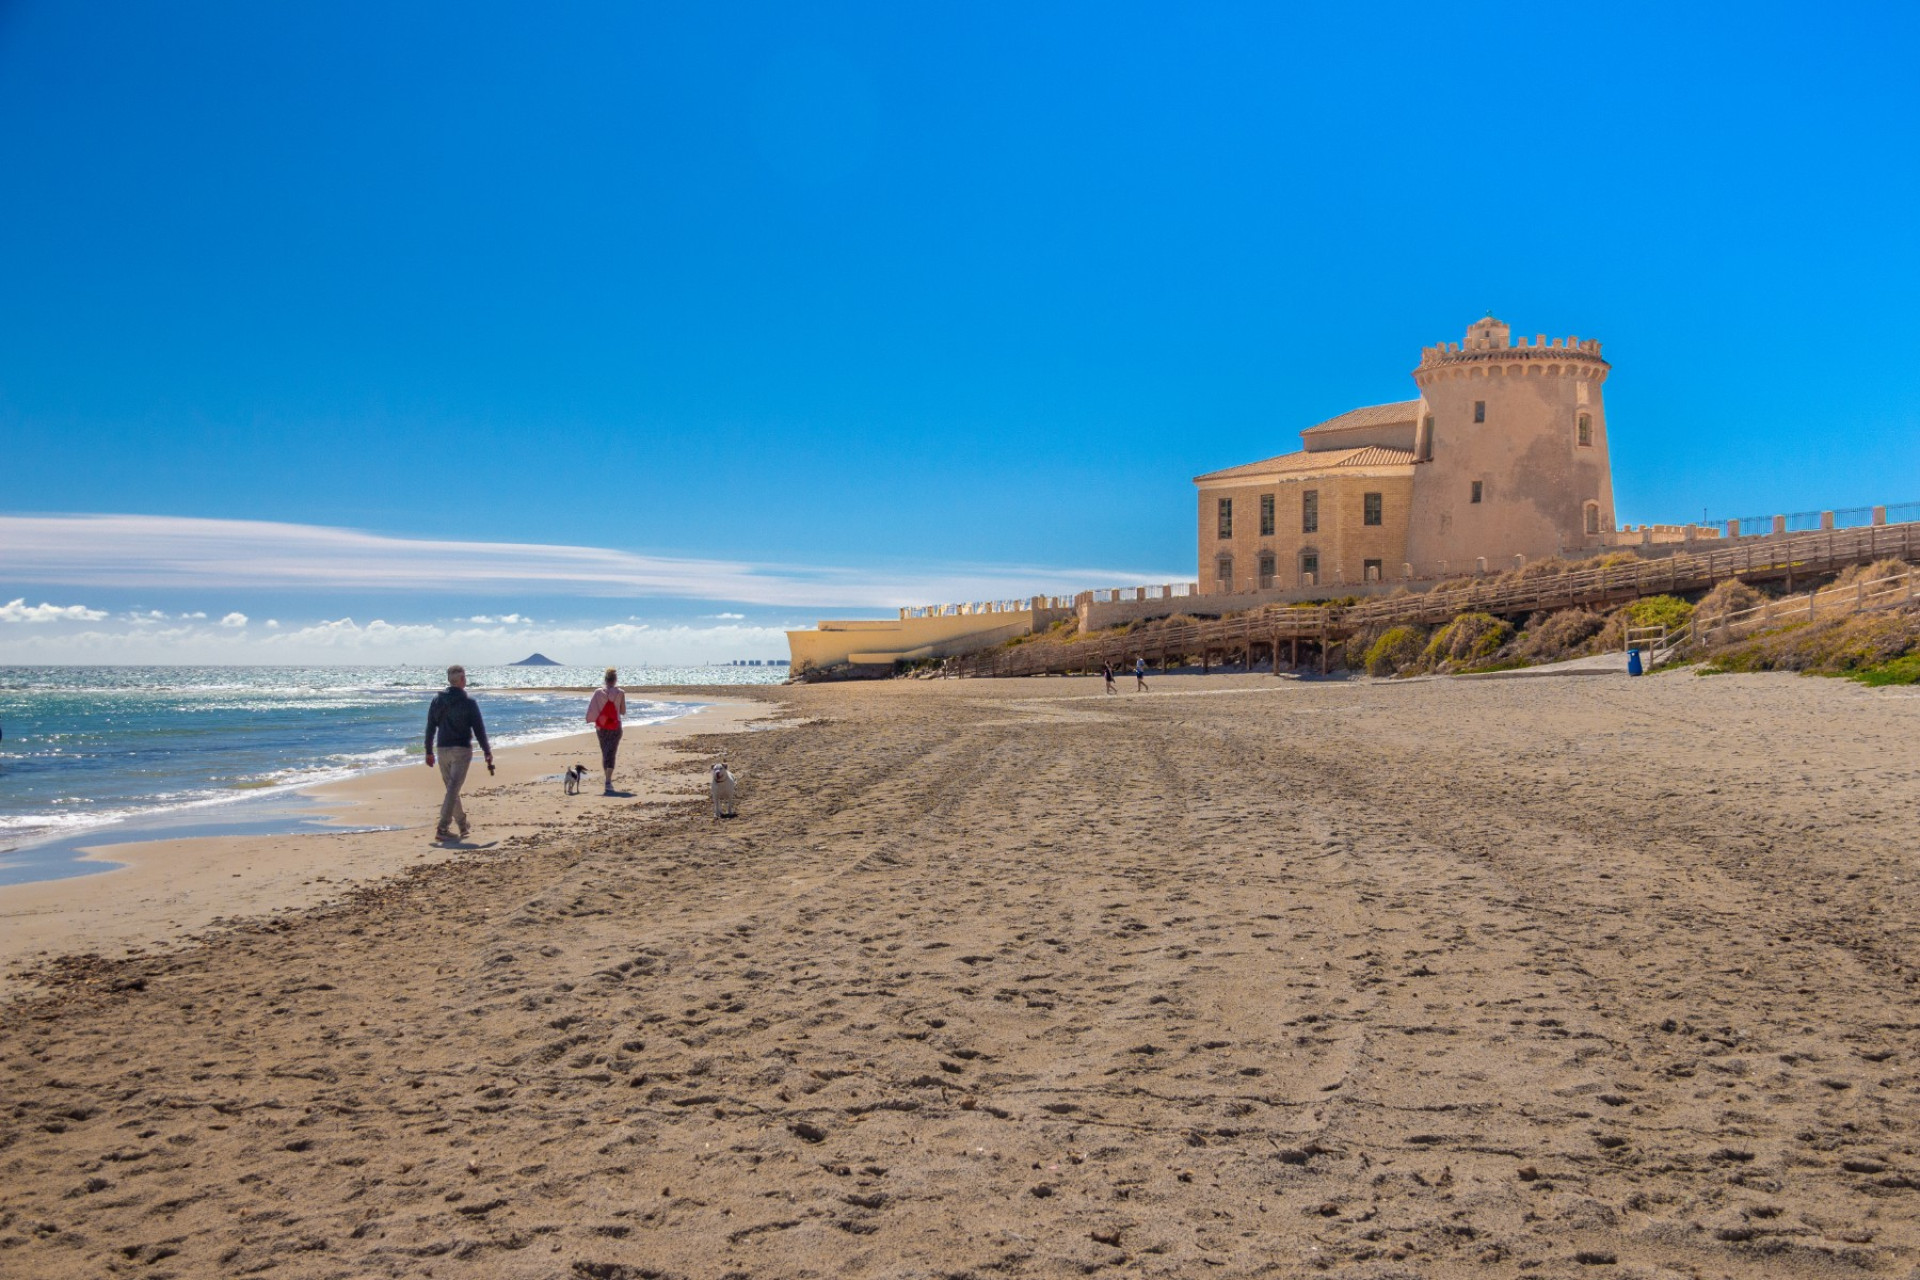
[364, 828]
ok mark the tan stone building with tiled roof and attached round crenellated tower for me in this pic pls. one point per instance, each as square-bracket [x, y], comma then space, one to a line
[1502, 456]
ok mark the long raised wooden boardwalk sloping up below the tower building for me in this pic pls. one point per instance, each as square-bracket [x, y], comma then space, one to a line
[1312, 630]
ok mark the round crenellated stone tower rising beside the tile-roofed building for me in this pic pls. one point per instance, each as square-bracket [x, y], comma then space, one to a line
[1512, 448]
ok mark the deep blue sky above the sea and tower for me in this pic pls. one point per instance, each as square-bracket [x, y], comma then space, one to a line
[900, 298]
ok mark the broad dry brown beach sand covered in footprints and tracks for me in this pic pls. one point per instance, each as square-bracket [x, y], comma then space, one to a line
[1550, 978]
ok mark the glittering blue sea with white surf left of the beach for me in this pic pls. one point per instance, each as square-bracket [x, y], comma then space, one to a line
[101, 755]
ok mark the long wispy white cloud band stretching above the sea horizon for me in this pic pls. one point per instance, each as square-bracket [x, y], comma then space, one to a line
[172, 552]
